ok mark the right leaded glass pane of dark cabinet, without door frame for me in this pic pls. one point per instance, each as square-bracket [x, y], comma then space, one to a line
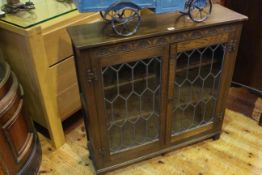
[196, 87]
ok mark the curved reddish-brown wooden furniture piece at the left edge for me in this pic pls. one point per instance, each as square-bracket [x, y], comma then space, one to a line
[20, 151]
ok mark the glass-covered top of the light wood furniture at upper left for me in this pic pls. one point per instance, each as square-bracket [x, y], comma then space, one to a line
[44, 11]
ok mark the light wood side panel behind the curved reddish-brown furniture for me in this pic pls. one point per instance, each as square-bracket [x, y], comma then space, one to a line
[15, 53]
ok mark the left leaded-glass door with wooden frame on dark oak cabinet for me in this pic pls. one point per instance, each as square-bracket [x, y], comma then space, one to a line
[130, 96]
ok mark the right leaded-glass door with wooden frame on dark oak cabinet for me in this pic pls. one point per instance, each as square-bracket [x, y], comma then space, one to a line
[195, 81]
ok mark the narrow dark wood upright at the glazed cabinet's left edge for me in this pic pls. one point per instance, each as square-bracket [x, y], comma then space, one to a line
[88, 101]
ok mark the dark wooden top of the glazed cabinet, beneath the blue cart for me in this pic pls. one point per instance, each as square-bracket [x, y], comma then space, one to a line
[100, 33]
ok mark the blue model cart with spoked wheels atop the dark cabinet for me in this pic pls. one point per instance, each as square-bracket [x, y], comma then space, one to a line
[125, 16]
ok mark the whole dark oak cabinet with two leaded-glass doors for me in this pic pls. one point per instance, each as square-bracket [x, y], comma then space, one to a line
[161, 89]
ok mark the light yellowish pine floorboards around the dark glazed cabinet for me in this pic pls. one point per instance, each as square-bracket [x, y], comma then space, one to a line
[237, 152]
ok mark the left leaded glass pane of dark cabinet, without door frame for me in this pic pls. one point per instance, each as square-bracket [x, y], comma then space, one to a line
[132, 98]
